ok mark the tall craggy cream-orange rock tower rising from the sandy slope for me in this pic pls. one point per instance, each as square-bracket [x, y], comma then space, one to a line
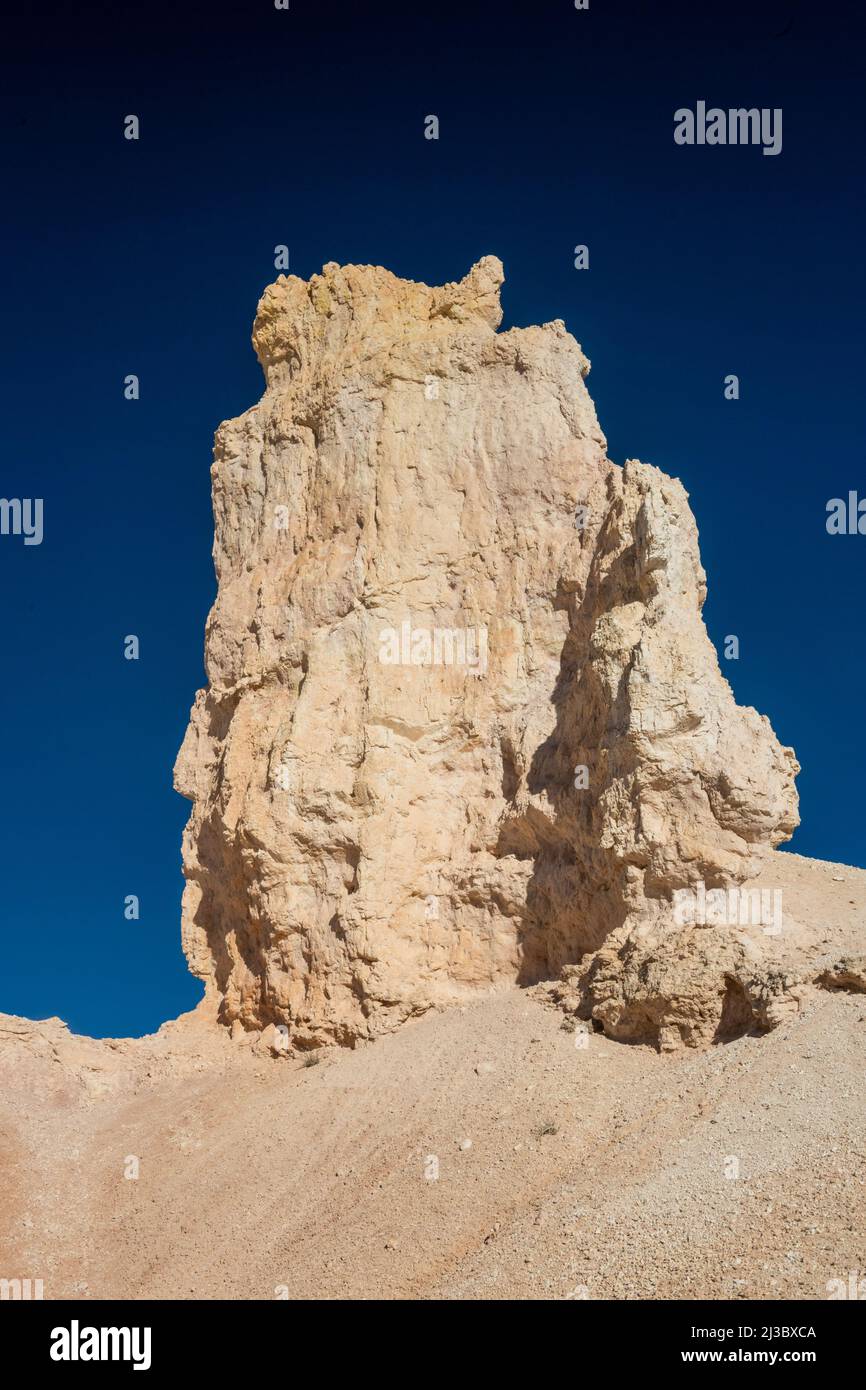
[439, 600]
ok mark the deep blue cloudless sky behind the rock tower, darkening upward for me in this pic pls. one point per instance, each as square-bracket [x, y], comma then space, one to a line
[307, 129]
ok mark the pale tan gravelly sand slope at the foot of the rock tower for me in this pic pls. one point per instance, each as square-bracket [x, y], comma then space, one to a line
[258, 1172]
